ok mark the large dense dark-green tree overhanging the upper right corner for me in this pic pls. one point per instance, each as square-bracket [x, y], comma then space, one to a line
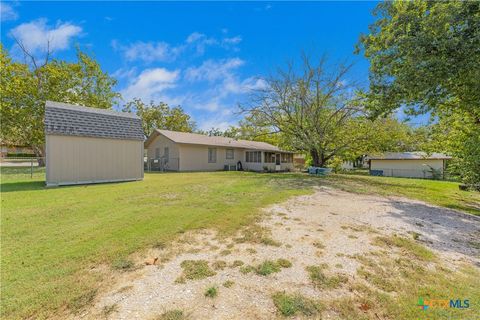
[425, 56]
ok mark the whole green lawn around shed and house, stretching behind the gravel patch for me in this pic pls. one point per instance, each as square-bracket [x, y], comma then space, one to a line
[52, 238]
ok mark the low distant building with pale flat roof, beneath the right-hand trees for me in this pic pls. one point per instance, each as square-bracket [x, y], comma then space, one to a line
[408, 164]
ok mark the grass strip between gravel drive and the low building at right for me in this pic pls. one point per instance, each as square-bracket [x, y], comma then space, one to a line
[442, 193]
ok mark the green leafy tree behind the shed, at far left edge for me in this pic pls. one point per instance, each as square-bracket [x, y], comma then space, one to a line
[25, 86]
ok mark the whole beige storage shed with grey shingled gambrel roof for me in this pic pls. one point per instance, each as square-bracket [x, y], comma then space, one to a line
[90, 145]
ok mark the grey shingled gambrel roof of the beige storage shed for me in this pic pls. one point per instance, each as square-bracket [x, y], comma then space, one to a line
[72, 120]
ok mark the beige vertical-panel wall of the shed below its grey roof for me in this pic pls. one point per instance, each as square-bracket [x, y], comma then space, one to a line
[78, 160]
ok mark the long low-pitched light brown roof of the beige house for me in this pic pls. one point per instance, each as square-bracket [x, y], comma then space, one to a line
[201, 139]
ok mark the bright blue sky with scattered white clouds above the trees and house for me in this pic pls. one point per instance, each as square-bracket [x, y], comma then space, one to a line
[204, 56]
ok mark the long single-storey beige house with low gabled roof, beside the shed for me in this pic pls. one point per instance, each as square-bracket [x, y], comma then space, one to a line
[182, 151]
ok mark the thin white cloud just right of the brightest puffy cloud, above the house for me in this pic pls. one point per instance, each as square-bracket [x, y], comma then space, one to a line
[212, 70]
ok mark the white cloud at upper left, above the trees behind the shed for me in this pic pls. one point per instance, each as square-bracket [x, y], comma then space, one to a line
[37, 35]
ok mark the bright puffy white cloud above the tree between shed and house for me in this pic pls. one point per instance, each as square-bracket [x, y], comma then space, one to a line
[151, 84]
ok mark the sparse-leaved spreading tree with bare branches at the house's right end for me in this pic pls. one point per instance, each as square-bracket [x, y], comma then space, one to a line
[312, 106]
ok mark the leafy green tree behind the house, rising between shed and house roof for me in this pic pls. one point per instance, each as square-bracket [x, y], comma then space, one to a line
[160, 116]
